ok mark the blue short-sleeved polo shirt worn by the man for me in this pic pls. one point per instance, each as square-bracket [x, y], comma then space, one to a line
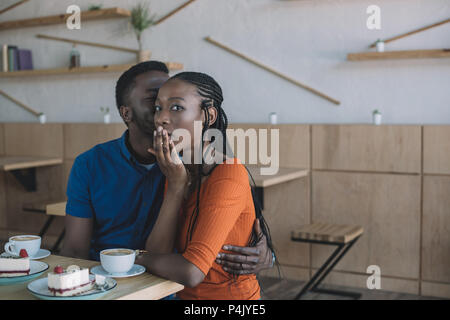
[123, 197]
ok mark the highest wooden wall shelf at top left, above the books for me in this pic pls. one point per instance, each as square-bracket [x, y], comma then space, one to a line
[61, 18]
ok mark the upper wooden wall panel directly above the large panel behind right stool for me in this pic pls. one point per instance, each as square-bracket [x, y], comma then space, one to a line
[367, 148]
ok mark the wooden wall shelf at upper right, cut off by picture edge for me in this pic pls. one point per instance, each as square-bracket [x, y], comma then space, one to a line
[406, 54]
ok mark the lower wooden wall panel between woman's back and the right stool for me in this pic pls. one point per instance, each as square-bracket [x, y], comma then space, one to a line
[286, 206]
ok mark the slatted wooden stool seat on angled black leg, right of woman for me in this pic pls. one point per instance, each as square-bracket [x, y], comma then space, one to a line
[327, 232]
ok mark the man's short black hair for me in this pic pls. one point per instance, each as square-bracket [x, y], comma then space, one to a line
[126, 81]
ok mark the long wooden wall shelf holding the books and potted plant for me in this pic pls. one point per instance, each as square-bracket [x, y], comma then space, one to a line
[80, 70]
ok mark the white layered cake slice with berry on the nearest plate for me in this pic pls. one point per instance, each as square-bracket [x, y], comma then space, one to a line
[69, 282]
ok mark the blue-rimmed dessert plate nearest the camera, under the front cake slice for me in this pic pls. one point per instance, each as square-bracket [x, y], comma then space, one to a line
[39, 288]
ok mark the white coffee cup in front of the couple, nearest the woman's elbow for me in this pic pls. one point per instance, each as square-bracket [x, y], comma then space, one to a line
[117, 260]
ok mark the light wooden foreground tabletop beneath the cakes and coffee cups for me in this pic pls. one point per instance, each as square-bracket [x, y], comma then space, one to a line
[142, 287]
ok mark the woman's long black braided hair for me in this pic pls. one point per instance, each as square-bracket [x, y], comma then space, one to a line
[210, 90]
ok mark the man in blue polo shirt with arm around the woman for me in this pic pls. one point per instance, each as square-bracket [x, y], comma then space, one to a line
[115, 189]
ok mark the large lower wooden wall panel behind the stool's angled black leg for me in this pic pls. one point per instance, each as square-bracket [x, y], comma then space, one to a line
[386, 205]
